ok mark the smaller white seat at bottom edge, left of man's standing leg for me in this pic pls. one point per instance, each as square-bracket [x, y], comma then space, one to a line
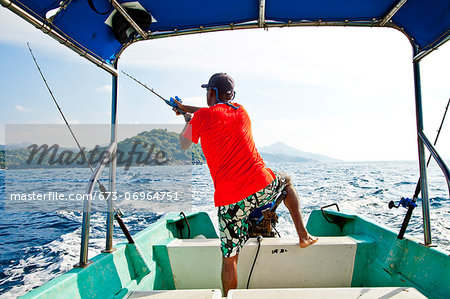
[182, 294]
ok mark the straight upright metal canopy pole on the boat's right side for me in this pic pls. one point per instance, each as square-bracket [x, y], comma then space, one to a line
[421, 148]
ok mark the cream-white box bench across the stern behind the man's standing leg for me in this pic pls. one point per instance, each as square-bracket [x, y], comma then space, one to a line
[281, 263]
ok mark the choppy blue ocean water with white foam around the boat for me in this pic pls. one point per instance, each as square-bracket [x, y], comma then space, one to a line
[39, 244]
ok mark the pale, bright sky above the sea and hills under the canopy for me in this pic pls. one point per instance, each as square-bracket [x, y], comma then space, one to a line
[346, 93]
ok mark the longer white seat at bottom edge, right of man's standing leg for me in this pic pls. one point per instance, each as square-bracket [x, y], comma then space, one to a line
[335, 293]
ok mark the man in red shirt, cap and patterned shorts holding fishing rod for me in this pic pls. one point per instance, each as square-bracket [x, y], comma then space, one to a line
[242, 183]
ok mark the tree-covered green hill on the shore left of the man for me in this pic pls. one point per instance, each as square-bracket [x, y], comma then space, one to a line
[148, 148]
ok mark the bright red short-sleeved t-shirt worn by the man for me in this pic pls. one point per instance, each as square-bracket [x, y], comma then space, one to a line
[226, 137]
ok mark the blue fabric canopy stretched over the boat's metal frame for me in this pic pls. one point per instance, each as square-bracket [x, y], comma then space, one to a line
[80, 24]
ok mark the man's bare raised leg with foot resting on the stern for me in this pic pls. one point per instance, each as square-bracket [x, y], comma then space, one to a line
[292, 202]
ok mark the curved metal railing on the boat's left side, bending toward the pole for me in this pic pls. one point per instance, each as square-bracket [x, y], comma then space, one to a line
[107, 154]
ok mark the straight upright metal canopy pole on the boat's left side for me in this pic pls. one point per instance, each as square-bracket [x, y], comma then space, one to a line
[112, 167]
